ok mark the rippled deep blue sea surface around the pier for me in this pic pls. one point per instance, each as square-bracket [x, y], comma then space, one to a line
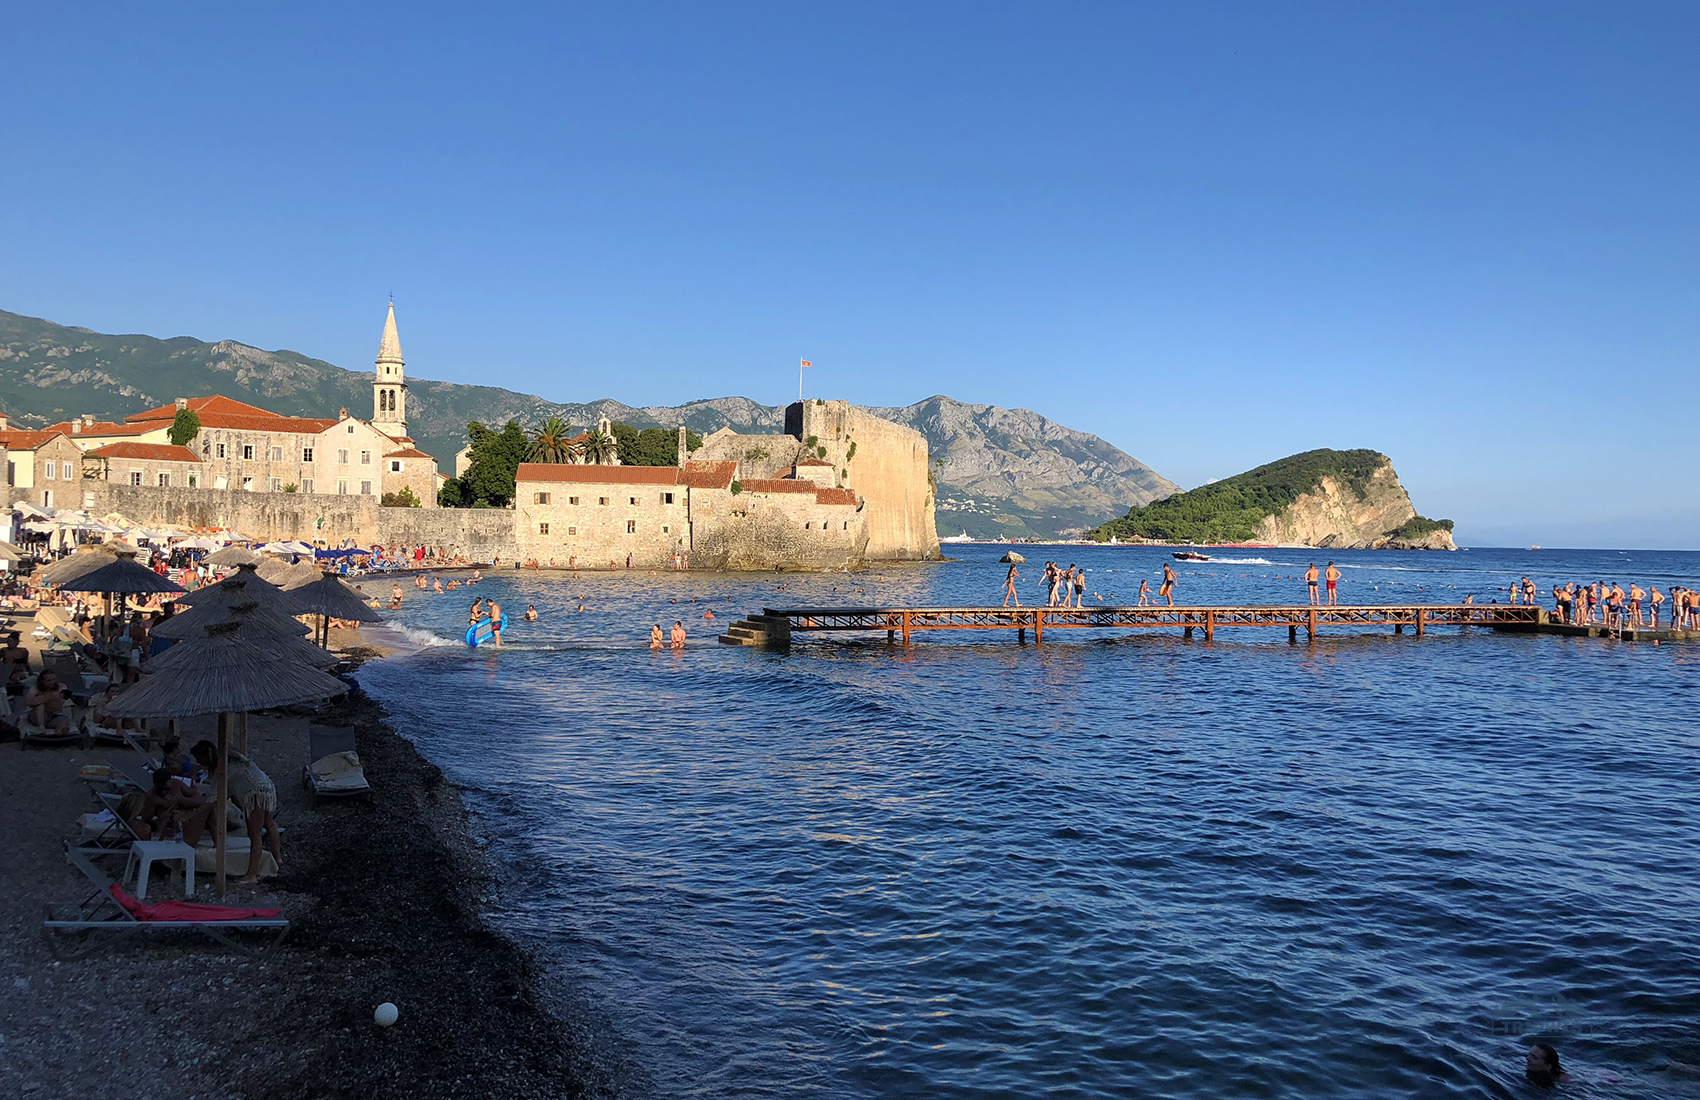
[1113, 866]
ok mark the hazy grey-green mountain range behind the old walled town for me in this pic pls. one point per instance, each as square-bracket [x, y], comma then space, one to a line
[1006, 473]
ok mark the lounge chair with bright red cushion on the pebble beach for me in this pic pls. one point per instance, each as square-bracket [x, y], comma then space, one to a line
[76, 931]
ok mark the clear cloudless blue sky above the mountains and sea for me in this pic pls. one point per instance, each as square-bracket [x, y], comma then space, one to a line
[1465, 235]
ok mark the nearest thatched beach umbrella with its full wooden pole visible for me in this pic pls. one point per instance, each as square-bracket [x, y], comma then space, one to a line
[224, 676]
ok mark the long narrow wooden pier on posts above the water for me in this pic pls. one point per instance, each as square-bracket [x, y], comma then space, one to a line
[776, 627]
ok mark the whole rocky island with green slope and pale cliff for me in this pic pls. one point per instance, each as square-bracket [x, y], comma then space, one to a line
[1323, 499]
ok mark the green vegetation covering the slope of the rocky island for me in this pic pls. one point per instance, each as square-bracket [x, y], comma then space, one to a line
[1233, 509]
